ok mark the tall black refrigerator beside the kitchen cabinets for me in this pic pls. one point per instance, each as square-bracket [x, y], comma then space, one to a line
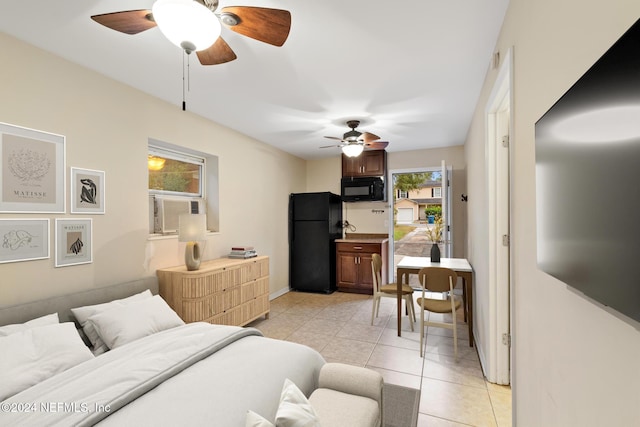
[315, 221]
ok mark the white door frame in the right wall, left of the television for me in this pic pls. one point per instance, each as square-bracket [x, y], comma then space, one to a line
[499, 123]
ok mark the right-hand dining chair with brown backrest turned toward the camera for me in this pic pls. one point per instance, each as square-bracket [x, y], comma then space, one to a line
[438, 280]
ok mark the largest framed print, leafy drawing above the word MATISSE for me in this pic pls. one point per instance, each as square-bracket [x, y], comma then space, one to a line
[32, 170]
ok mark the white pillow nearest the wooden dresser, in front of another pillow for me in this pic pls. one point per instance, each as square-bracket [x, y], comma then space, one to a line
[133, 321]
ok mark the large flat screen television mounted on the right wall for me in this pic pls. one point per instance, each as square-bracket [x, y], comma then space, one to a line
[588, 181]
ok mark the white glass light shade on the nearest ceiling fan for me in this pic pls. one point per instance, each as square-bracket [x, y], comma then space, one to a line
[186, 23]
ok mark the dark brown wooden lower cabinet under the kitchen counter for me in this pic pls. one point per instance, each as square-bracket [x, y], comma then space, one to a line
[353, 266]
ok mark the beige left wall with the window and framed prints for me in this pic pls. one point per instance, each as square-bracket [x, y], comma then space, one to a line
[107, 126]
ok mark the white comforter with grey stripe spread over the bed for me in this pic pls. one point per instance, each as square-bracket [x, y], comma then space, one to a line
[197, 374]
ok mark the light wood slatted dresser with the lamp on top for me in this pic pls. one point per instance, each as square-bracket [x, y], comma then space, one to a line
[224, 291]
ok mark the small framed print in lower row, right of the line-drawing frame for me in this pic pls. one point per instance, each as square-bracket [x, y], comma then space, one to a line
[74, 242]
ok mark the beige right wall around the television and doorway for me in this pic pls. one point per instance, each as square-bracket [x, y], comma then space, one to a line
[575, 363]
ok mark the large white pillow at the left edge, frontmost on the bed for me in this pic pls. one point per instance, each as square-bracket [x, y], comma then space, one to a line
[35, 354]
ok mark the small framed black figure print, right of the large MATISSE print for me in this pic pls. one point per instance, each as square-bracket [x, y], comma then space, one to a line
[87, 191]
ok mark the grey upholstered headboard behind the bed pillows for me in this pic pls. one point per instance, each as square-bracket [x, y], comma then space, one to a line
[63, 304]
